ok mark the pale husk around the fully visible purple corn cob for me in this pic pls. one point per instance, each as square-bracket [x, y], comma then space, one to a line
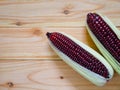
[91, 76]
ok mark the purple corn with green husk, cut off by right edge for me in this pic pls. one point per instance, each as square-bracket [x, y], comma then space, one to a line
[106, 37]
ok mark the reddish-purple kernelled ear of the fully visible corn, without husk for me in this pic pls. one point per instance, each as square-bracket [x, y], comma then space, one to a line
[77, 53]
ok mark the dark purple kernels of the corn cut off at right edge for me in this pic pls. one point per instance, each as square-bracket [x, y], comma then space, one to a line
[104, 34]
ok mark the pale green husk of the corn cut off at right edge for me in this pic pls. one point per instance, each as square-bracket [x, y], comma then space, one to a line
[115, 64]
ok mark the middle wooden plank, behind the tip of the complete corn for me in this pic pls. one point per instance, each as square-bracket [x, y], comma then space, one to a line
[31, 43]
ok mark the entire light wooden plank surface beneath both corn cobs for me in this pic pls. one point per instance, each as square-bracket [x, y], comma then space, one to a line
[26, 60]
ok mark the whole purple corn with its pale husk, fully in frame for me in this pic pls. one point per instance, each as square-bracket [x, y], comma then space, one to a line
[81, 58]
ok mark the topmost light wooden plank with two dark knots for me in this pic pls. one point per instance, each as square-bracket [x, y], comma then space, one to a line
[44, 13]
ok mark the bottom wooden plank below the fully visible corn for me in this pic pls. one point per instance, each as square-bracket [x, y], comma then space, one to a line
[46, 75]
